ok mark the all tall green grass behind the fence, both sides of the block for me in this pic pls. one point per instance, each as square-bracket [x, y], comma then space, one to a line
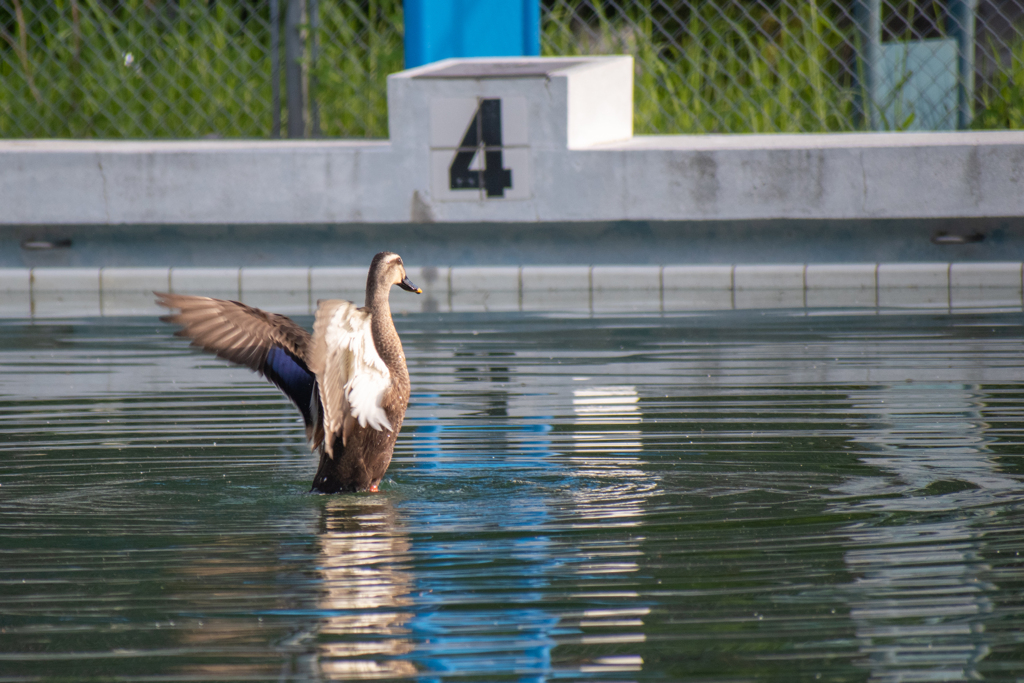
[203, 70]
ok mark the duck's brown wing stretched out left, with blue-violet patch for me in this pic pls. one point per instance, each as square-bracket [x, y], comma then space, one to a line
[273, 346]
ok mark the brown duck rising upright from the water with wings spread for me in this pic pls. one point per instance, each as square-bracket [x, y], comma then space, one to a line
[349, 379]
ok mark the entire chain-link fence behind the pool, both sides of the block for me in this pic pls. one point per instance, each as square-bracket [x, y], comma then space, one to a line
[238, 68]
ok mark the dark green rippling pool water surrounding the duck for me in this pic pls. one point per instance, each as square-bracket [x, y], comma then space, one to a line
[715, 497]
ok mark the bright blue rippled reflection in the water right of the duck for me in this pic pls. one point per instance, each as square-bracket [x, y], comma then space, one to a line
[526, 645]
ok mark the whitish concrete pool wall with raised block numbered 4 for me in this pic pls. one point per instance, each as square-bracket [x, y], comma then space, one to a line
[514, 164]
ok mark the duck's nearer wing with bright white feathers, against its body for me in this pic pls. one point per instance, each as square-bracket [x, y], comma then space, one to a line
[353, 378]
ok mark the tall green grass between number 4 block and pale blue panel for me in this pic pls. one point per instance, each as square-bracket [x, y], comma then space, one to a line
[728, 73]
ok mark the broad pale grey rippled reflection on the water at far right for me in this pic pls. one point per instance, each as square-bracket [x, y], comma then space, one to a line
[921, 590]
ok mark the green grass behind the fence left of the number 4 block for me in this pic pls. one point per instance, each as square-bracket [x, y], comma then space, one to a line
[194, 70]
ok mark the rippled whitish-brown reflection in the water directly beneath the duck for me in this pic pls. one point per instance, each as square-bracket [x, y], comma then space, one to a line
[365, 567]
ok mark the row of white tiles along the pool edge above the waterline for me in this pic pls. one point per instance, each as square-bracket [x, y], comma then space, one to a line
[98, 292]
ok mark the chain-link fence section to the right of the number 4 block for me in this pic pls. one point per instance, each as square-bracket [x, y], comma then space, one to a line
[818, 66]
